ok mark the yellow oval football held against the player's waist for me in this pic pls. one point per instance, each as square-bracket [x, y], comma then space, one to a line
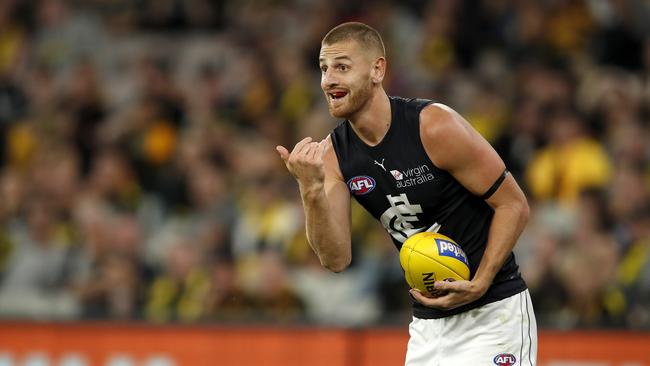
[428, 257]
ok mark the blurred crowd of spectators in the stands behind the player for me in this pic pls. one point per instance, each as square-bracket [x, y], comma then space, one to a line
[139, 179]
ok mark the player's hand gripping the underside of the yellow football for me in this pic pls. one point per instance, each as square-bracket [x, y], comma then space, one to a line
[453, 294]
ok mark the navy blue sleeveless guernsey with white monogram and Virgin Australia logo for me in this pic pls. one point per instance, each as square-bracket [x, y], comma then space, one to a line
[399, 185]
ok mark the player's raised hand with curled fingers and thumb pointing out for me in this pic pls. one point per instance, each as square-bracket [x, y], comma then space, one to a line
[305, 162]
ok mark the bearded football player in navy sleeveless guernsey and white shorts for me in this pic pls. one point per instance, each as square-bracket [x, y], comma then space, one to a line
[416, 165]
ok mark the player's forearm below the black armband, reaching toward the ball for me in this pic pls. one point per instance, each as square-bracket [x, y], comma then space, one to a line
[507, 224]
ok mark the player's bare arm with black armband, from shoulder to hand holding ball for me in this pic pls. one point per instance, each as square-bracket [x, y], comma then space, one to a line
[453, 145]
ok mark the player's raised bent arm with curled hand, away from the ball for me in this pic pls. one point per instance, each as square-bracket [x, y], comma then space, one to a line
[325, 199]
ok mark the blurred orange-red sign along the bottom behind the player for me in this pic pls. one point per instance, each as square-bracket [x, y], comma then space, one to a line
[85, 344]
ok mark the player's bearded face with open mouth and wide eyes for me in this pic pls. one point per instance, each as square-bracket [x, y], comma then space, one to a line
[345, 77]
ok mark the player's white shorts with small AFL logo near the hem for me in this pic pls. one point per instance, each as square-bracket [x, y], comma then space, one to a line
[502, 333]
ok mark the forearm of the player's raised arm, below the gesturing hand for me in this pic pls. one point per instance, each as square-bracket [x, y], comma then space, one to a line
[325, 236]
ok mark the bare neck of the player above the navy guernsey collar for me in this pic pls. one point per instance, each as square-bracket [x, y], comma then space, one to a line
[371, 123]
